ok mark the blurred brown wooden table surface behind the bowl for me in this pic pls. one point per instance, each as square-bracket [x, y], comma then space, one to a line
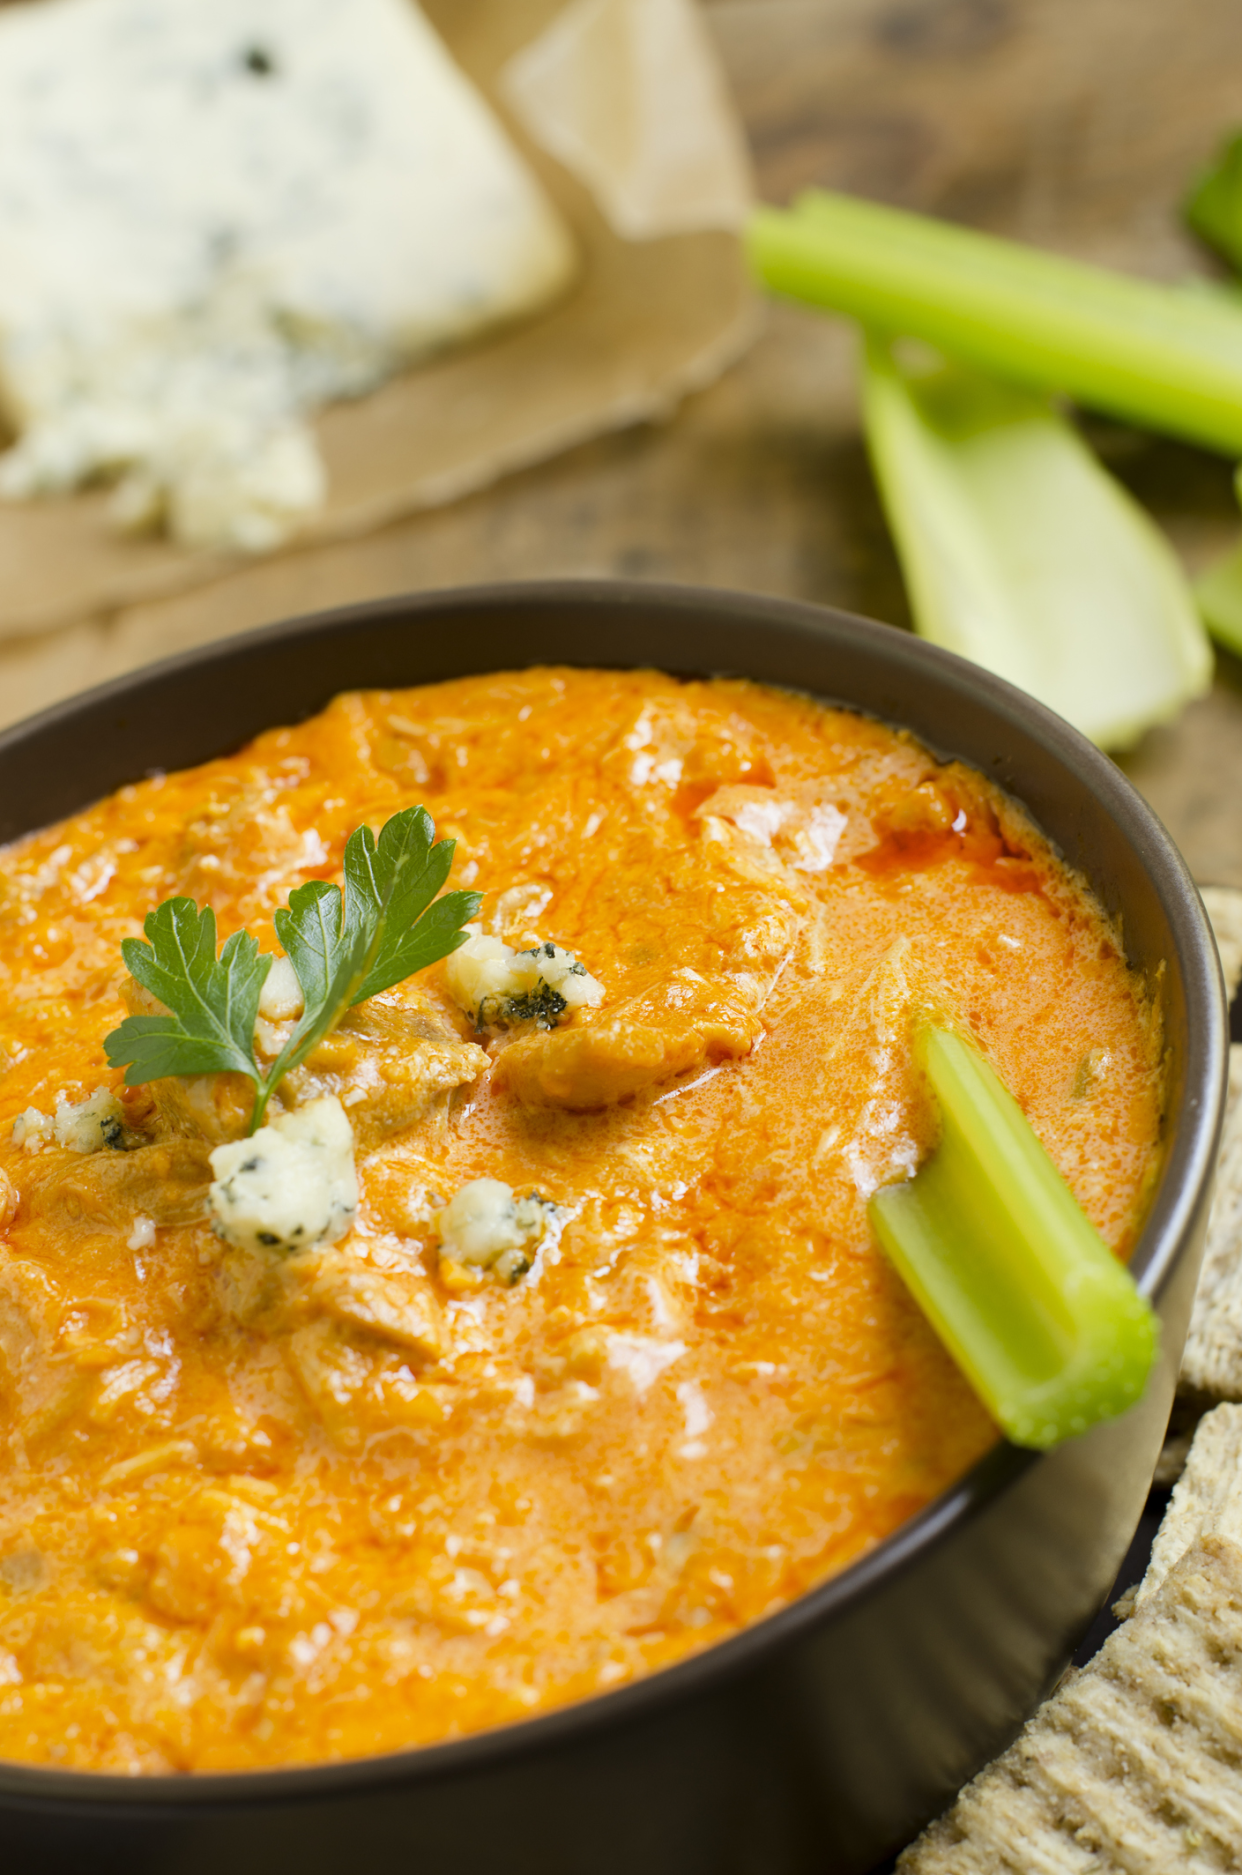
[1070, 123]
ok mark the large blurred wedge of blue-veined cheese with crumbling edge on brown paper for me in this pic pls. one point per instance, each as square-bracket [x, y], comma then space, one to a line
[215, 220]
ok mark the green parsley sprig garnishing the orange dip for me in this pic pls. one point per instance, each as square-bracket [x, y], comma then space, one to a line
[344, 950]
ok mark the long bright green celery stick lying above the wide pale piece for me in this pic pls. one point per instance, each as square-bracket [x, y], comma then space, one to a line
[1162, 357]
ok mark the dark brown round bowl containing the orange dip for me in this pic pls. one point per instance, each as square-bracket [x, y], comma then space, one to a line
[823, 1737]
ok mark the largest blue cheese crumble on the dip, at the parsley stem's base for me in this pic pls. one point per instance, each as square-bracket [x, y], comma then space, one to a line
[292, 1184]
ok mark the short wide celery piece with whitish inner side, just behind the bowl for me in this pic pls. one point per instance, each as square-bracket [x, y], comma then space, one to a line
[1023, 554]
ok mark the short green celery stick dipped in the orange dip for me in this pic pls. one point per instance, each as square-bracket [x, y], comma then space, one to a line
[1042, 1319]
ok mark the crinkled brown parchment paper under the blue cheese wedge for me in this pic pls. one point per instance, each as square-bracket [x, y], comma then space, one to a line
[650, 320]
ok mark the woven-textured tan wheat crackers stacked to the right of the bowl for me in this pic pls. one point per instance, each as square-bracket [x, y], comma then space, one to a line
[1136, 1763]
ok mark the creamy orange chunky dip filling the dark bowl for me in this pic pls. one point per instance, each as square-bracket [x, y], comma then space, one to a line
[269, 1508]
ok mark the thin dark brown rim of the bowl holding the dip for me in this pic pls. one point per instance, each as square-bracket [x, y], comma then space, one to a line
[1185, 1177]
